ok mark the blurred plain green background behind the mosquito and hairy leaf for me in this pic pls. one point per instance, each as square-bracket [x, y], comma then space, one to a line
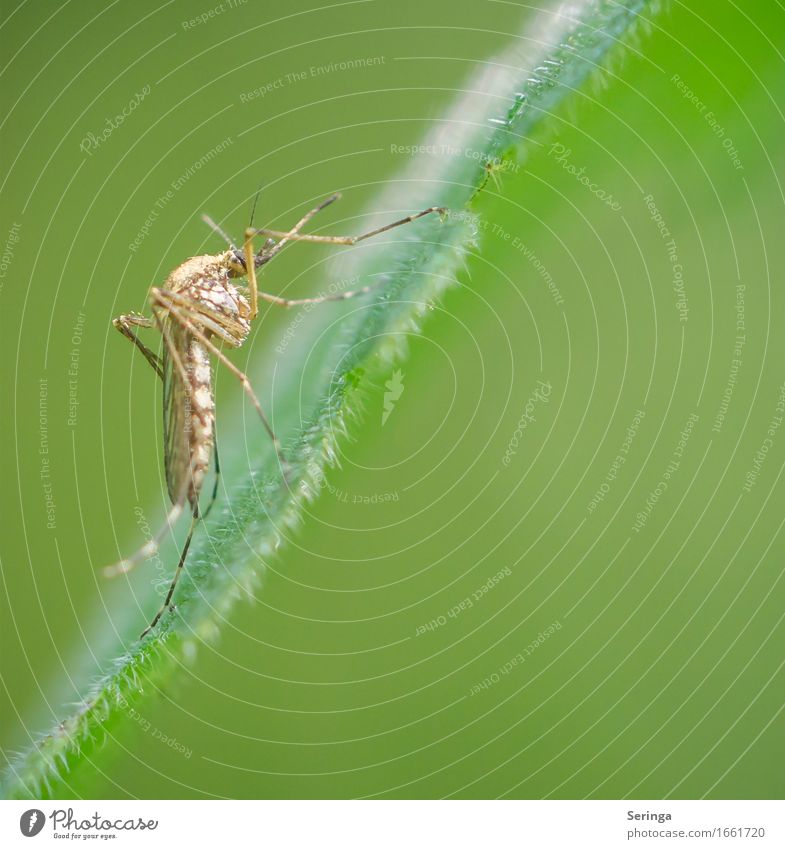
[609, 660]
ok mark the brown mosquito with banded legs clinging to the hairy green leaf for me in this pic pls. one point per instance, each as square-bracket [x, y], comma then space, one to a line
[199, 309]
